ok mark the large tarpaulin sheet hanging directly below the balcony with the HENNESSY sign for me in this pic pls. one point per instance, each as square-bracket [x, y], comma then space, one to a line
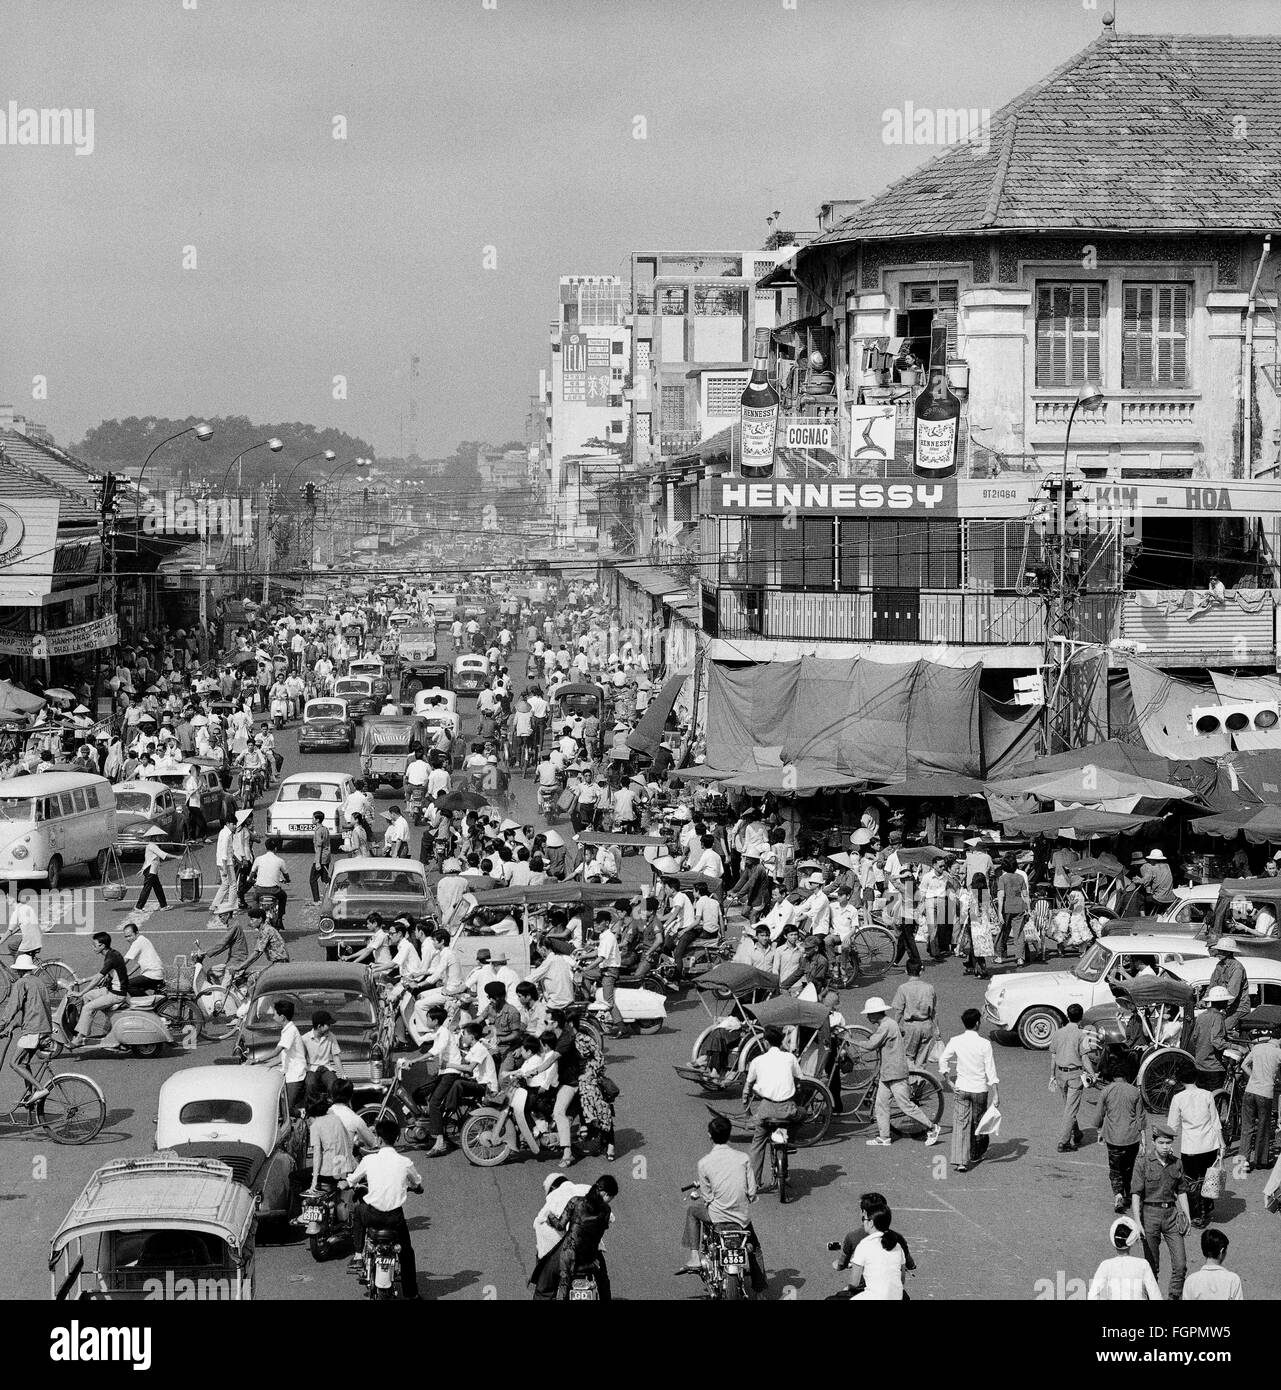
[841, 722]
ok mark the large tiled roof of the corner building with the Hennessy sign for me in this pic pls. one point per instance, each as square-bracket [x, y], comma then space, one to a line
[1139, 133]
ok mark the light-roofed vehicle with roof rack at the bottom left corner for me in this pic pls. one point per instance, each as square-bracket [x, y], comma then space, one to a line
[160, 1228]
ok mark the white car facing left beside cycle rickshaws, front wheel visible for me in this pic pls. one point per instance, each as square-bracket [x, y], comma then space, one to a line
[1034, 1004]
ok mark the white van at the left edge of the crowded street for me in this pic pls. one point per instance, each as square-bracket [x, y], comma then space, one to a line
[51, 821]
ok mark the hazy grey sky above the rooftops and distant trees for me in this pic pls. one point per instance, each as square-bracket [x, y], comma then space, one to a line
[468, 127]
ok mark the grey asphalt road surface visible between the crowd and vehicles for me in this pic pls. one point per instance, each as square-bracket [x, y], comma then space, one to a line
[1025, 1224]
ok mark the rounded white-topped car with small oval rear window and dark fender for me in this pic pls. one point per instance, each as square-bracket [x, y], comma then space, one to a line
[238, 1115]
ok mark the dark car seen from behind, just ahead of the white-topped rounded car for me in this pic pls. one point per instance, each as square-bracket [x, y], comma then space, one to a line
[362, 1025]
